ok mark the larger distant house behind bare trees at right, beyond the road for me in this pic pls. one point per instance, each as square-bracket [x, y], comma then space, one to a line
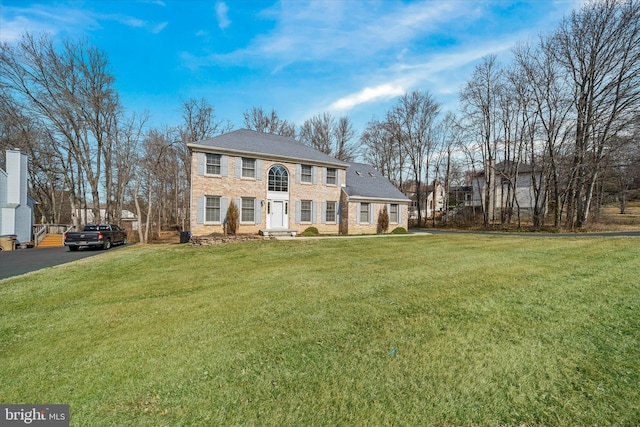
[512, 187]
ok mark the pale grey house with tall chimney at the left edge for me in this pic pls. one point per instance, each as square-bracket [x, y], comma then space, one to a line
[16, 207]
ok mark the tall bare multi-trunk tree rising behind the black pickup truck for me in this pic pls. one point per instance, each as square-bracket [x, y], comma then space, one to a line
[69, 89]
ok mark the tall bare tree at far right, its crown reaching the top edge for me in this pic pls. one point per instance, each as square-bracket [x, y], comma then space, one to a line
[598, 48]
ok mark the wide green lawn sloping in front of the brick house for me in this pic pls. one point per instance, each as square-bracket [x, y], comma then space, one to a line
[418, 330]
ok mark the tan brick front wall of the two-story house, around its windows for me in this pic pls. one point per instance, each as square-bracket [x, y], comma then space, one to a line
[234, 188]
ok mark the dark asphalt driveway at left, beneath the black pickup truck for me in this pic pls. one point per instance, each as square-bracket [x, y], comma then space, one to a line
[21, 261]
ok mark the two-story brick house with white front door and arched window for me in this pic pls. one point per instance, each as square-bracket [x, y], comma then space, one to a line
[278, 185]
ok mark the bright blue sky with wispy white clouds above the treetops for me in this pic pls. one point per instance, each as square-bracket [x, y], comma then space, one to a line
[299, 57]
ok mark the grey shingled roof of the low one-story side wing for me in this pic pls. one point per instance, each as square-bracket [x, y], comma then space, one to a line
[363, 181]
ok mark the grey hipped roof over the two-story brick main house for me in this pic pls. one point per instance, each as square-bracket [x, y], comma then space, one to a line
[266, 145]
